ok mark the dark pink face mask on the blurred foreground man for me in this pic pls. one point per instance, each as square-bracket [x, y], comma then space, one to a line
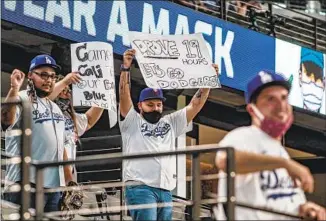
[273, 128]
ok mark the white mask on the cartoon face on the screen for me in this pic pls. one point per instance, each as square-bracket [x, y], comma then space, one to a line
[312, 95]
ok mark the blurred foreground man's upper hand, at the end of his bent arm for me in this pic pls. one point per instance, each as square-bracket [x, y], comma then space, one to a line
[301, 175]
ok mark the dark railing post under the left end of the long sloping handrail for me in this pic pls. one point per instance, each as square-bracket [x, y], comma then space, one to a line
[39, 195]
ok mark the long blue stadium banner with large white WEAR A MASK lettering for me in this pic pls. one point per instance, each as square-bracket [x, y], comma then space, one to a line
[239, 52]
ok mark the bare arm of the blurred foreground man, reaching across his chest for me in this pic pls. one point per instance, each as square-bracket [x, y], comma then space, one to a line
[246, 162]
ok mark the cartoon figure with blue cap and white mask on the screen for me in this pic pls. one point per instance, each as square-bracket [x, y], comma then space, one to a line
[312, 79]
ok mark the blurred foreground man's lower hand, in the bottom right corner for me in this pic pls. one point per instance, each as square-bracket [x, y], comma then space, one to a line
[312, 211]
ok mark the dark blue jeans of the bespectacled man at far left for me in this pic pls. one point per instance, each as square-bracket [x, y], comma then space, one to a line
[51, 200]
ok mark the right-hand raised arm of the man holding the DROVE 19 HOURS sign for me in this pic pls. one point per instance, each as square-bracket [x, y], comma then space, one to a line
[198, 101]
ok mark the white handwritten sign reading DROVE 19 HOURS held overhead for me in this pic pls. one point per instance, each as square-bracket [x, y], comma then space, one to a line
[174, 61]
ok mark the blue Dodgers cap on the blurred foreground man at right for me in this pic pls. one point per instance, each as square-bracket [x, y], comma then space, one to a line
[262, 80]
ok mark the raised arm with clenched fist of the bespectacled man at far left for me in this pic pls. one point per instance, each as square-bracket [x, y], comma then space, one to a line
[8, 112]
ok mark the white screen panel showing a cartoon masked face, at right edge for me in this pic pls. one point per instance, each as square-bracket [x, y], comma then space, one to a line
[305, 72]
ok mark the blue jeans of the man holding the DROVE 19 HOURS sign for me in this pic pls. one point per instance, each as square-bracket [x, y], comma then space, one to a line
[143, 194]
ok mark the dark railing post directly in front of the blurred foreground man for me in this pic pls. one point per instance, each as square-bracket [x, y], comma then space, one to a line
[230, 183]
